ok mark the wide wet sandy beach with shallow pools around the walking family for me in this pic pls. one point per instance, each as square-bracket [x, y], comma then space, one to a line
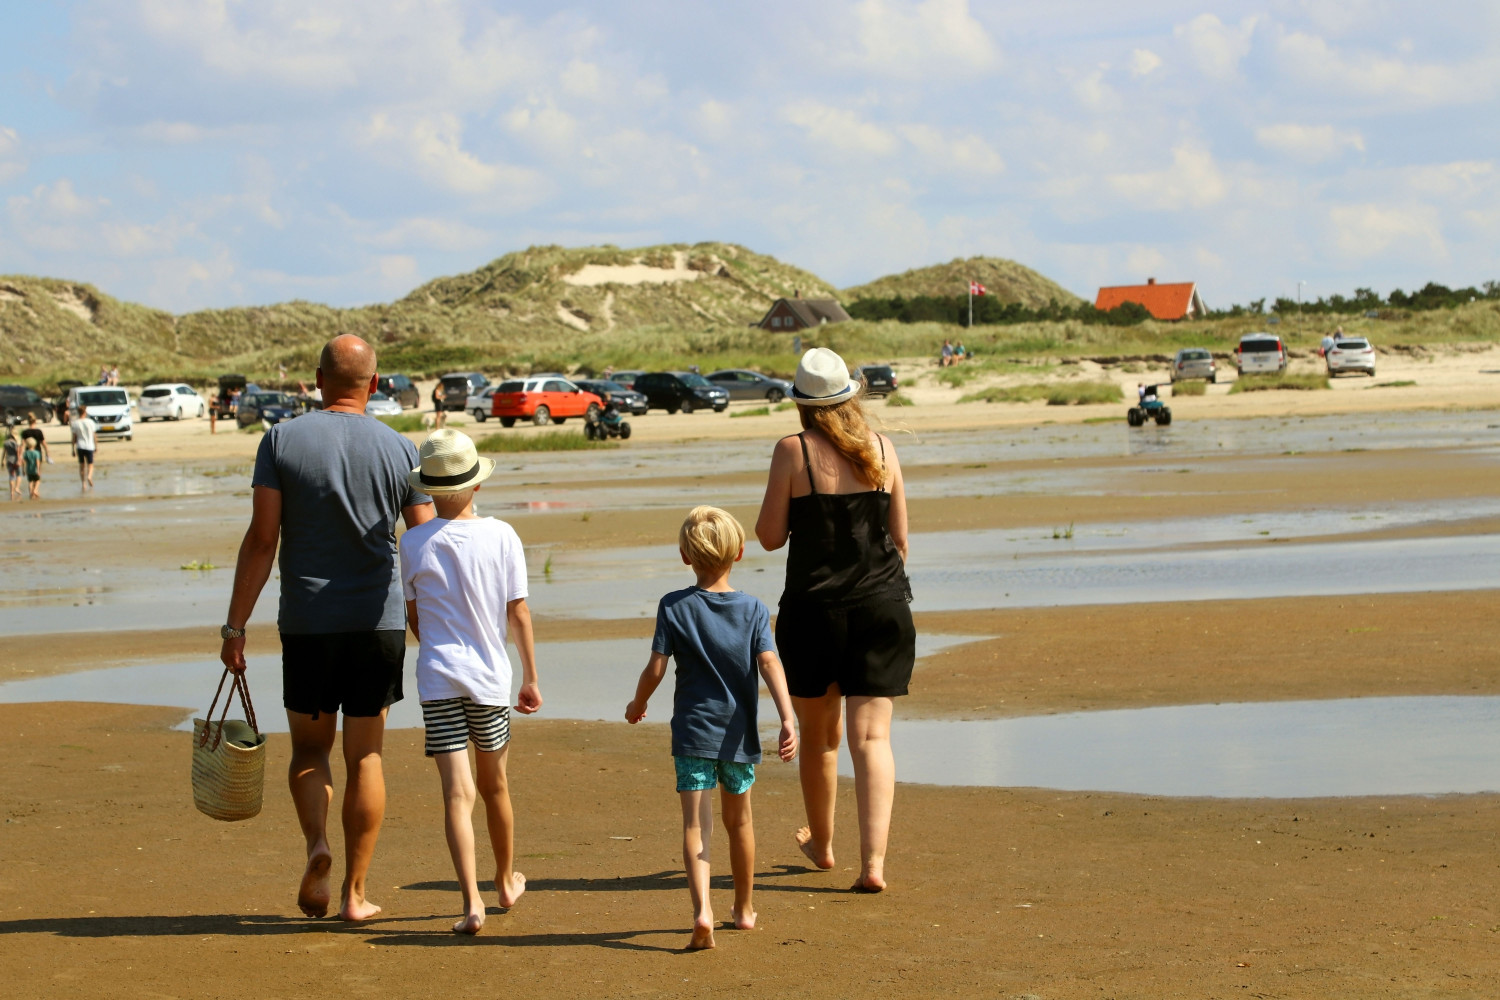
[1267, 549]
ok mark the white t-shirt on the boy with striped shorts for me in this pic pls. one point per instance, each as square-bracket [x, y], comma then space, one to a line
[463, 573]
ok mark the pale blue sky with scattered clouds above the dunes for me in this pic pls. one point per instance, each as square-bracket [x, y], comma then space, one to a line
[203, 154]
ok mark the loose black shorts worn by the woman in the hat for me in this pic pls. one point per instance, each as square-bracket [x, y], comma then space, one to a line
[868, 650]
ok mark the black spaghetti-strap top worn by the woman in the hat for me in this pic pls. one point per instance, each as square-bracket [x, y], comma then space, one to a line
[841, 548]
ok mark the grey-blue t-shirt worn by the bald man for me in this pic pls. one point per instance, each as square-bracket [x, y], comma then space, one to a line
[343, 479]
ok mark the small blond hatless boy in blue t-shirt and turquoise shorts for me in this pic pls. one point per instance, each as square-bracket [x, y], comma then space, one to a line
[719, 639]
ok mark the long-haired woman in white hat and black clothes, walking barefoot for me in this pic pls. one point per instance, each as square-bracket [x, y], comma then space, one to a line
[845, 627]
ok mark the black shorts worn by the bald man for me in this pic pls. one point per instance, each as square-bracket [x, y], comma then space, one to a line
[358, 674]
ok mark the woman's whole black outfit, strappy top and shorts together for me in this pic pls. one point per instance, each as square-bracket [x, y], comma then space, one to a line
[845, 615]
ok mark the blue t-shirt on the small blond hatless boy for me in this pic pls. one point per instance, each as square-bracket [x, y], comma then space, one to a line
[715, 641]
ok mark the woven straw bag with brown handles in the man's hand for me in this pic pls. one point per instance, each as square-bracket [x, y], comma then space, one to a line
[229, 759]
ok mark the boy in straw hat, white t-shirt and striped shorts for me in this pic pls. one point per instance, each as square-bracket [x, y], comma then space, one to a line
[466, 587]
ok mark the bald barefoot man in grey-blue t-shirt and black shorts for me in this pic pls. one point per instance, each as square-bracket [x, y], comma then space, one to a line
[329, 487]
